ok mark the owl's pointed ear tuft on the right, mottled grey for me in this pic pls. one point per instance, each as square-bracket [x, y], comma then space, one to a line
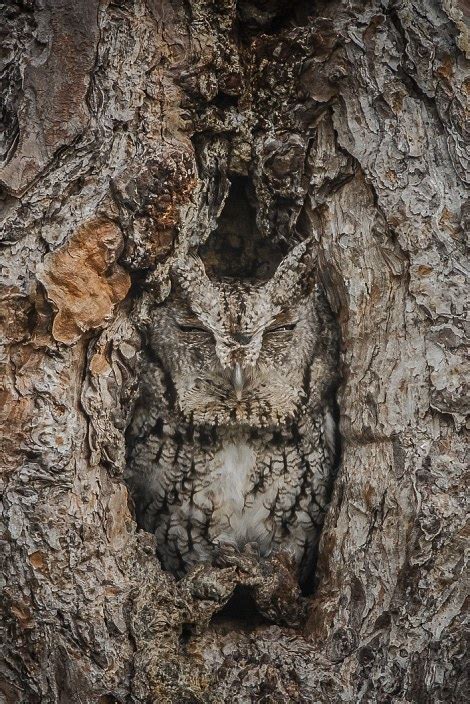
[295, 275]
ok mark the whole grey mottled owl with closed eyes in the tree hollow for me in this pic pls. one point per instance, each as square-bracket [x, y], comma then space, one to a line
[233, 440]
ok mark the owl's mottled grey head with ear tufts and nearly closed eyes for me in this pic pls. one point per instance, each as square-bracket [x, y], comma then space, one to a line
[237, 353]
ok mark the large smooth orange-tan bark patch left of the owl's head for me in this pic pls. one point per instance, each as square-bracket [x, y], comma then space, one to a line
[83, 281]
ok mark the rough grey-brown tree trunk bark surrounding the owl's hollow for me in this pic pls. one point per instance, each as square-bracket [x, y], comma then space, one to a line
[123, 124]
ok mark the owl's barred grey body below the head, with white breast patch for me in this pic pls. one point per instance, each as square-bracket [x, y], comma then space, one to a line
[204, 494]
